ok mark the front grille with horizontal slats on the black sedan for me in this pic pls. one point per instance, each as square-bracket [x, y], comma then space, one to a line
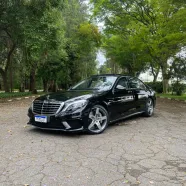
[46, 107]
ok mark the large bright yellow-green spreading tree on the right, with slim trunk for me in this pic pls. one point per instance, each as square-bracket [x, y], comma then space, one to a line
[158, 26]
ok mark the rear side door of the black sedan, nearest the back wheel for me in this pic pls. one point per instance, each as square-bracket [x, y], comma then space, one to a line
[140, 93]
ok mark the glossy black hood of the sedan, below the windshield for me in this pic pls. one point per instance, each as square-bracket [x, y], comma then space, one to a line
[70, 96]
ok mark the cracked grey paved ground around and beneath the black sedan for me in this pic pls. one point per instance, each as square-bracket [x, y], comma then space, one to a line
[140, 151]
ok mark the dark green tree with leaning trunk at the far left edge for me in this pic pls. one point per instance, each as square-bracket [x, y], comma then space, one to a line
[10, 13]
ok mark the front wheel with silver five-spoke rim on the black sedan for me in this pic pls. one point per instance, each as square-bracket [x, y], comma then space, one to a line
[98, 120]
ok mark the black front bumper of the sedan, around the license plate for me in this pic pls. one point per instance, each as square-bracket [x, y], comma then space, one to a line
[69, 123]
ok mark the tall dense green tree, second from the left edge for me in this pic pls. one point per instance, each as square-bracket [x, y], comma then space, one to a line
[43, 36]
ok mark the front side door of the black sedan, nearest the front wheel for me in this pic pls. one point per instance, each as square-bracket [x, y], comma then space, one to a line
[122, 102]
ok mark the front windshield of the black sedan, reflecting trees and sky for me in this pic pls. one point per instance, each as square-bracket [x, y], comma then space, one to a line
[96, 83]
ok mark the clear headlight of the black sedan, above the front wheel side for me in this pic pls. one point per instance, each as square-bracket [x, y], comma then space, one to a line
[71, 107]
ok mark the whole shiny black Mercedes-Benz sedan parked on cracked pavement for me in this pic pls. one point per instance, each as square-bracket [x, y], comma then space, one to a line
[92, 104]
